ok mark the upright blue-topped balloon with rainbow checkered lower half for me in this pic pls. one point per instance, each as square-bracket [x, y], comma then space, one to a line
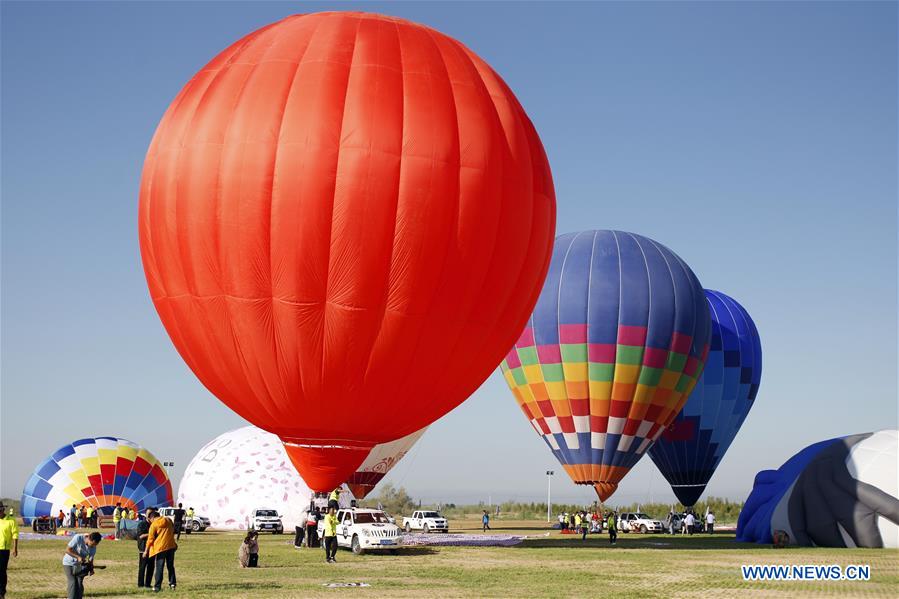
[613, 348]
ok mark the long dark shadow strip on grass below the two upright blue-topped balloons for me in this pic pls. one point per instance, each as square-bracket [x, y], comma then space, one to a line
[662, 542]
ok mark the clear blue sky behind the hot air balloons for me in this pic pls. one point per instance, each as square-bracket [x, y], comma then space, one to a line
[757, 140]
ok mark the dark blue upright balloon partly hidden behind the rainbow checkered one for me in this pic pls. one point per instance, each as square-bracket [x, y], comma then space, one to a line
[690, 449]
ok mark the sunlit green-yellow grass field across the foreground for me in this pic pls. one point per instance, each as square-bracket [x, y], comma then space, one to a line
[553, 566]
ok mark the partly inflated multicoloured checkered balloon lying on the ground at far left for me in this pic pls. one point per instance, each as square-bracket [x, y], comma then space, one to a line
[99, 472]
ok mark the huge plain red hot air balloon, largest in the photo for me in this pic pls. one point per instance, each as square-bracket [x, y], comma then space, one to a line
[345, 220]
